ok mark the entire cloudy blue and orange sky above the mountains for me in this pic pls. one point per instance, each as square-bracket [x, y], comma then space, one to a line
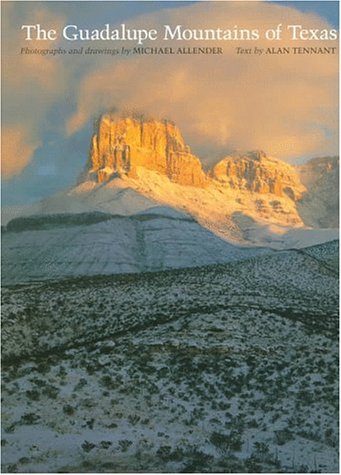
[285, 105]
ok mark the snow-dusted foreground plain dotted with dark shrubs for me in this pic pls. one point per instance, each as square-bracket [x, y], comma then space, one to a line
[228, 368]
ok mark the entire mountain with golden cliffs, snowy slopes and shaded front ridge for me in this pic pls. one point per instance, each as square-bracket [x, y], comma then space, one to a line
[144, 202]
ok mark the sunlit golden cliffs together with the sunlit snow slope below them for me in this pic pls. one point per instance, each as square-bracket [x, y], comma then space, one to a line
[244, 190]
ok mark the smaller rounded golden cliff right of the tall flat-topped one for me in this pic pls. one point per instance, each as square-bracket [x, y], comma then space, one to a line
[256, 172]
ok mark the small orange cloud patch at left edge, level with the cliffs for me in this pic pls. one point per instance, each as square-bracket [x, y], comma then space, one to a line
[17, 147]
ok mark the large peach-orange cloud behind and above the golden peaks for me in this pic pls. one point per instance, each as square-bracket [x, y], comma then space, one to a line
[286, 105]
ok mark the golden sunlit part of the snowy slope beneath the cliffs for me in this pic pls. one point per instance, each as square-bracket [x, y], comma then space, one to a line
[244, 218]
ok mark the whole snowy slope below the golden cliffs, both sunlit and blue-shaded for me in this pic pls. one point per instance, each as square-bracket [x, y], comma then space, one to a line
[244, 219]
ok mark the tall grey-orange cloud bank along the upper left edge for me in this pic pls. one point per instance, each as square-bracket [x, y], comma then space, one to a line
[31, 84]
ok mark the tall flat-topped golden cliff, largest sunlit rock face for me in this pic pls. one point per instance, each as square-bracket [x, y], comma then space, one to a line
[119, 146]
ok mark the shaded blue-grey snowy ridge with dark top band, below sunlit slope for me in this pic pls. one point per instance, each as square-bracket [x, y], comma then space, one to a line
[64, 246]
